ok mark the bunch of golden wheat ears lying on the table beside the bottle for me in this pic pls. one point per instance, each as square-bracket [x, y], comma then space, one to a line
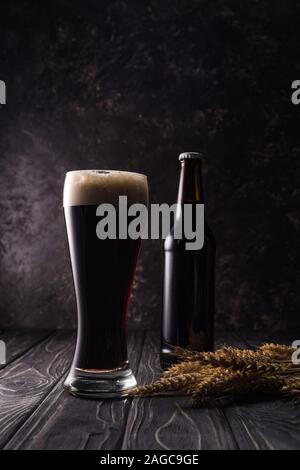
[210, 376]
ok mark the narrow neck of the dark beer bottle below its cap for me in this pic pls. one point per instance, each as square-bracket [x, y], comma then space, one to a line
[190, 184]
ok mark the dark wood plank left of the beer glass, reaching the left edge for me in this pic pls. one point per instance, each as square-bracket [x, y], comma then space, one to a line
[26, 382]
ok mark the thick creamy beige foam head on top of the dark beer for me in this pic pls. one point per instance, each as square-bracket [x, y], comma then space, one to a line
[87, 187]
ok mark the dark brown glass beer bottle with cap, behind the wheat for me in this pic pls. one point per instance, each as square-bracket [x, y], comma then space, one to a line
[188, 286]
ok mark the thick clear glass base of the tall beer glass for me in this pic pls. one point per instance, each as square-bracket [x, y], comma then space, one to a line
[100, 384]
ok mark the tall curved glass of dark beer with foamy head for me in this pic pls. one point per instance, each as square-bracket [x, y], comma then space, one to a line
[103, 273]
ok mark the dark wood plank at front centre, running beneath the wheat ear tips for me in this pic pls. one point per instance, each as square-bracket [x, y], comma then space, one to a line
[170, 422]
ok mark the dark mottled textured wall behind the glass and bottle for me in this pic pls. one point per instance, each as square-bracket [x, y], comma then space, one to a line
[128, 85]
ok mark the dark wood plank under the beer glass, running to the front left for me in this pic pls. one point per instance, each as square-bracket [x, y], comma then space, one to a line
[66, 422]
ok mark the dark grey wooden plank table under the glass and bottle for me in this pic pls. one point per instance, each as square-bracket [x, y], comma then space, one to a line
[36, 413]
